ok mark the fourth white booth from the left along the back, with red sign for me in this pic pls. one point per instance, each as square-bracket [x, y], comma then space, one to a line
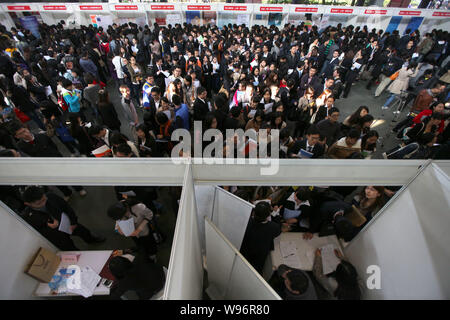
[124, 13]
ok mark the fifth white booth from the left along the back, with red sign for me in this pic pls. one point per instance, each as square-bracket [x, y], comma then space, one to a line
[164, 14]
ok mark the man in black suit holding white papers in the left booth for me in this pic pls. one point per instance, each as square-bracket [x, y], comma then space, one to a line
[51, 216]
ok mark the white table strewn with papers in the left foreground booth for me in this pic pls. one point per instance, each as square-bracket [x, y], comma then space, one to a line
[94, 259]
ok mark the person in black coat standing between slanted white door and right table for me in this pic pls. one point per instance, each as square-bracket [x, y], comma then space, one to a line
[259, 235]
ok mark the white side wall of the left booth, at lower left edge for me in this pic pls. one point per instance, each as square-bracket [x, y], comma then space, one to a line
[18, 244]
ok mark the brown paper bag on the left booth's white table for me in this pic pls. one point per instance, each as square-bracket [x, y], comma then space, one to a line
[43, 265]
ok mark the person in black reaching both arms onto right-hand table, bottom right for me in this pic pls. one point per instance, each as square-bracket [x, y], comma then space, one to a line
[341, 284]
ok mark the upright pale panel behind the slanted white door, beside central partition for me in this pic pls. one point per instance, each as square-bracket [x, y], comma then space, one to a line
[231, 215]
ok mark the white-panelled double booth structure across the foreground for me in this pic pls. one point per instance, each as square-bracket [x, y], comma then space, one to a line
[211, 224]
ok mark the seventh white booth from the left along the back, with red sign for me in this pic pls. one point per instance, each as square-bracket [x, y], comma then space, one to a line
[234, 13]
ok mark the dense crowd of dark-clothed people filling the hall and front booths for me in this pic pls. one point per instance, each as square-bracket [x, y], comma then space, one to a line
[62, 85]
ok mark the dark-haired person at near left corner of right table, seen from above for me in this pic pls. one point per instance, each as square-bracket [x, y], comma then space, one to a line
[293, 284]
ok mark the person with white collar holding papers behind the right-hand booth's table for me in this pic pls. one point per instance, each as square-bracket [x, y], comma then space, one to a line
[297, 209]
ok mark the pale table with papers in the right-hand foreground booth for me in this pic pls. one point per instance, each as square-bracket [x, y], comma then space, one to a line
[305, 250]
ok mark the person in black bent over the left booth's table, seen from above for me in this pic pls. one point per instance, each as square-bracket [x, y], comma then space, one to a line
[140, 277]
